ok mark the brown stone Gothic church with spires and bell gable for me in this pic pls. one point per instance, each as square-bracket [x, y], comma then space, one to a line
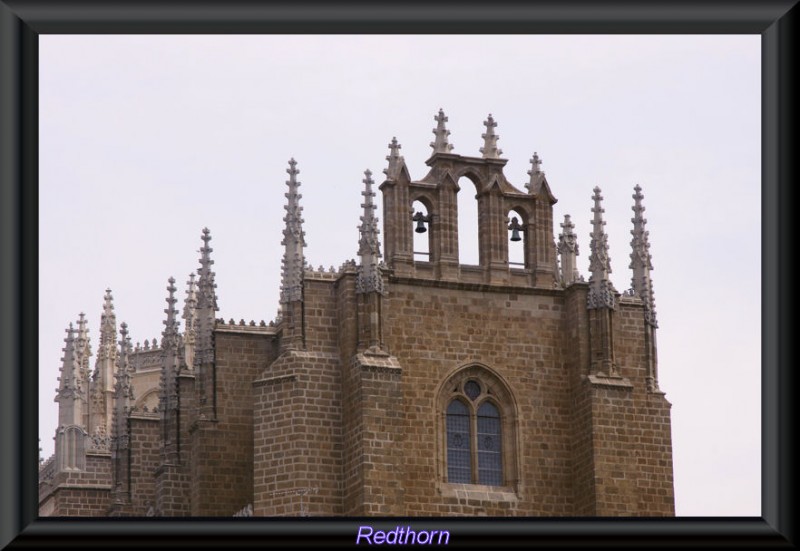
[404, 383]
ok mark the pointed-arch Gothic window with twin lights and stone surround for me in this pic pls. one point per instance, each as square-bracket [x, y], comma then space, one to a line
[479, 429]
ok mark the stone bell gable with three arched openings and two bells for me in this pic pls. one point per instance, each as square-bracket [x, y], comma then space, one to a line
[504, 212]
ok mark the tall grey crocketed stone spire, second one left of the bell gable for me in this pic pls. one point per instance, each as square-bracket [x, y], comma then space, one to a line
[293, 241]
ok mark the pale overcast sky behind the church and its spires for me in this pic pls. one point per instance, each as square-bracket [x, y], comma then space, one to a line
[146, 140]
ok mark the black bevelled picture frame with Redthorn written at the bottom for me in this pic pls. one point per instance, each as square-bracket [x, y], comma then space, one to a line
[22, 21]
